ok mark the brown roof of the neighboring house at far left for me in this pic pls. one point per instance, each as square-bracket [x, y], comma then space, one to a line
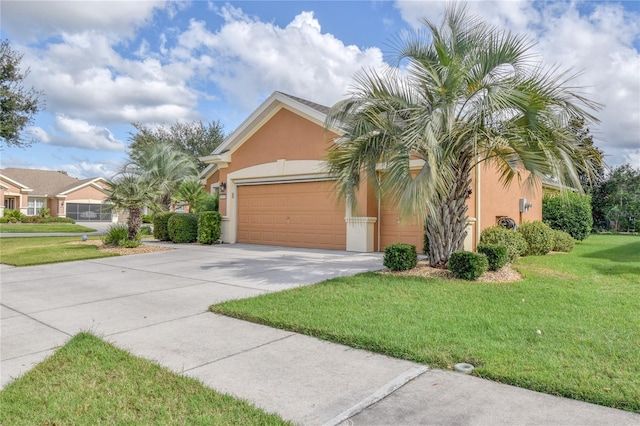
[46, 183]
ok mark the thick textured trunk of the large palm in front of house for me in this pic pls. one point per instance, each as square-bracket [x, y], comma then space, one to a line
[447, 226]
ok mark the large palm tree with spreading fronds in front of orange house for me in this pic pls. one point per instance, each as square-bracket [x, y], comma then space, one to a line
[461, 93]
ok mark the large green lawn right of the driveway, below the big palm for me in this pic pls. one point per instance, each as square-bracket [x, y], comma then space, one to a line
[586, 305]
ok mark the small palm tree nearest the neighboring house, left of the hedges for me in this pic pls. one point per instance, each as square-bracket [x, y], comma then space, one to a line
[131, 192]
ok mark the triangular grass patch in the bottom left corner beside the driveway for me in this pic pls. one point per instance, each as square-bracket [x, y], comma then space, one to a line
[89, 381]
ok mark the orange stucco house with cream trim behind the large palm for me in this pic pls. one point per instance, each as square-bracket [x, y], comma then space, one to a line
[274, 188]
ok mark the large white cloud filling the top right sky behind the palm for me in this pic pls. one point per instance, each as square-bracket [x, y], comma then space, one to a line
[601, 44]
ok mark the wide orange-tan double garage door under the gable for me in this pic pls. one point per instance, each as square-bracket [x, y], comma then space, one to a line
[300, 214]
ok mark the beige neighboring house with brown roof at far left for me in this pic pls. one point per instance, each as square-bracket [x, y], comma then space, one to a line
[30, 190]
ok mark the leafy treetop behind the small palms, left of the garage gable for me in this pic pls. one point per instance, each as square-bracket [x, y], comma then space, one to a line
[195, 139]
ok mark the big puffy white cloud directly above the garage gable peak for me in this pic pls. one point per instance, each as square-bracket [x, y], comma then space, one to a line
[248, 59]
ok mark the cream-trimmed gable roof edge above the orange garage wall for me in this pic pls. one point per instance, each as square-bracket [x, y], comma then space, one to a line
[310, 110]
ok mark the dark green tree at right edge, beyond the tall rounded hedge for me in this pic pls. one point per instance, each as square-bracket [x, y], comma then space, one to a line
[616, 200]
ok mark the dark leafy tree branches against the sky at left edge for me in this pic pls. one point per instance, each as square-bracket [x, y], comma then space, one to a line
[18, 105]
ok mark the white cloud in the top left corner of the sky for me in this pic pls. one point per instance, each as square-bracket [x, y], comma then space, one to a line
[35, 19]
